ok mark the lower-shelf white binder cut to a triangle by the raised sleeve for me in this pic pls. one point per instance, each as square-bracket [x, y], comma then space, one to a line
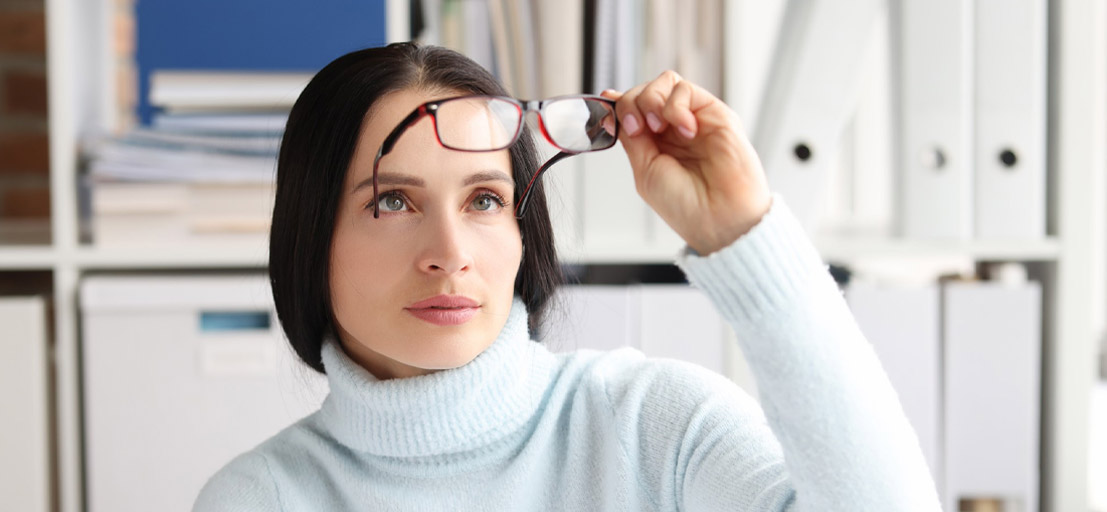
[903, 323]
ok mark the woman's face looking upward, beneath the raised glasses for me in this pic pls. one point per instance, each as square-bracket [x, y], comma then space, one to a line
[429, 285]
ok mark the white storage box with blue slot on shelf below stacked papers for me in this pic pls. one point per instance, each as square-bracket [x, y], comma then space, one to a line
[182, 373]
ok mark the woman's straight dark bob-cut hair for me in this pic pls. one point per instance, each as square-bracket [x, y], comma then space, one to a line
[316, 151]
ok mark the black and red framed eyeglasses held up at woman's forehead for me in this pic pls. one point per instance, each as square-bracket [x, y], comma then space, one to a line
[573, 124]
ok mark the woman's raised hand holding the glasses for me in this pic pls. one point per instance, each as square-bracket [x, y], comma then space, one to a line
[692, 162]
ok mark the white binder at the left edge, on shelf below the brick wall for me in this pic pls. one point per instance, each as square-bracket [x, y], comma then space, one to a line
[25, 453]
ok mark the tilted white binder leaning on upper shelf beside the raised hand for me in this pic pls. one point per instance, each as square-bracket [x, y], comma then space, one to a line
[810, 97]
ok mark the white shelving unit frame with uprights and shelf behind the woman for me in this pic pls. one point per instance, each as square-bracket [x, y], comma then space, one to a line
[80, 91]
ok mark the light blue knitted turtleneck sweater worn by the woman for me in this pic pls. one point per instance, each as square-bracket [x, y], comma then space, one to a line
[521, 429]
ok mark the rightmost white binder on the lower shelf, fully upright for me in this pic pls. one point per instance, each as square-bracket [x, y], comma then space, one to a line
[992, 361]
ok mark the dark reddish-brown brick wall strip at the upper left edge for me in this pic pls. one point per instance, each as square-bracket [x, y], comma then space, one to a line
[25, 161]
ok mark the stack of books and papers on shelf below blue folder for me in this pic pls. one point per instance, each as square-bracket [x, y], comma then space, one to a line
[203, 172]
